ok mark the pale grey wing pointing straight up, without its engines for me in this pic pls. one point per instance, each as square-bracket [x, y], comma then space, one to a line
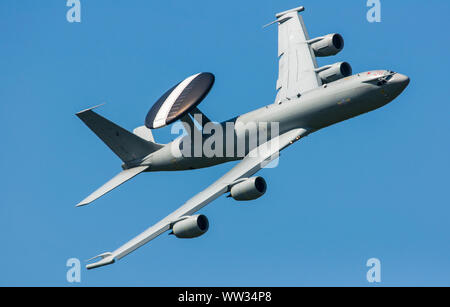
[297, 61]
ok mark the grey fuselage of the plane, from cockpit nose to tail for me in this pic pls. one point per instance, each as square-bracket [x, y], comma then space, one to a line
[313, 110]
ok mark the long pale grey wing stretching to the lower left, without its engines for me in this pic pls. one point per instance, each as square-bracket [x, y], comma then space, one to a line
[252, 163]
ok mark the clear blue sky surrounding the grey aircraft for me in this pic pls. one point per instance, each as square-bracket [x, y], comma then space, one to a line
[374, 186]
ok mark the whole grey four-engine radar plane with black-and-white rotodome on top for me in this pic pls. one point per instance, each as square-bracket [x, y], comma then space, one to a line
[309, 98]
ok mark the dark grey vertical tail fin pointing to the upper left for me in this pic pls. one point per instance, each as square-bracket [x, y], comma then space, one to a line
[126, 145]
